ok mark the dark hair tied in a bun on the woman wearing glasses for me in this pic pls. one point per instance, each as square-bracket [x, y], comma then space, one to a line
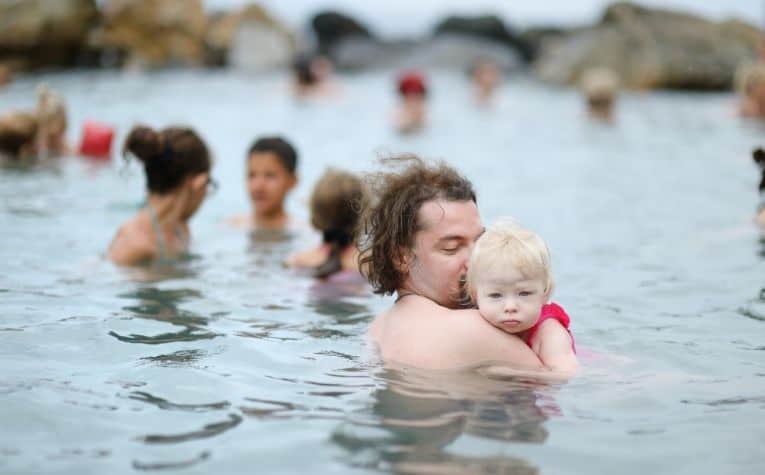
[169, 156]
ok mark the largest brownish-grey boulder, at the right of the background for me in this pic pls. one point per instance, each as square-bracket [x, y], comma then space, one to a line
[652, 48]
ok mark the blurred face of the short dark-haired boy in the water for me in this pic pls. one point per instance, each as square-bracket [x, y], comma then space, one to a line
[268, 182]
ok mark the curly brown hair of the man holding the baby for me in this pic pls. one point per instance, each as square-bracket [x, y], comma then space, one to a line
[389, 225]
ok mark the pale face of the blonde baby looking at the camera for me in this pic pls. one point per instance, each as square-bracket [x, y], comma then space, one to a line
[510, 301]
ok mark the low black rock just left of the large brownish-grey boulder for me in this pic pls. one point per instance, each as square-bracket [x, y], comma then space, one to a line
[488, 27]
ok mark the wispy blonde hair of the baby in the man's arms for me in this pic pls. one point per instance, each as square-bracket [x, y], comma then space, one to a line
[506, 243]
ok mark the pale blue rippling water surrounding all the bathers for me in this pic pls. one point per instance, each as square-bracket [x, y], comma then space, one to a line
[228, 363]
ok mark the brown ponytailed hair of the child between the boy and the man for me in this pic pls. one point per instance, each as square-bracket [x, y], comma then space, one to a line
[336, 204]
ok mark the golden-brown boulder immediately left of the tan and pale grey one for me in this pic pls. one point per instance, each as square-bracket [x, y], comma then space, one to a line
[149, 33]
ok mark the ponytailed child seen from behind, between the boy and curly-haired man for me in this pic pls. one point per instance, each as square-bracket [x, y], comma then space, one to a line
[336, 203]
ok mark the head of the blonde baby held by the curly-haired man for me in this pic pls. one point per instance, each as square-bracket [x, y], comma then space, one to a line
[509, 276]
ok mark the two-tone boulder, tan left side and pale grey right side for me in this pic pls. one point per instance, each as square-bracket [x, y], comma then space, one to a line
[249, 39]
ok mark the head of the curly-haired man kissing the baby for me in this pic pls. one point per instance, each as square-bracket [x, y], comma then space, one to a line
[416, 238]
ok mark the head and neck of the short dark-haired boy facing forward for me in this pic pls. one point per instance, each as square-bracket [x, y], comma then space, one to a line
[271, 175]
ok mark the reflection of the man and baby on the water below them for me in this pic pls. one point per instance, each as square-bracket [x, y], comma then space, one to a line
[416, 415]
